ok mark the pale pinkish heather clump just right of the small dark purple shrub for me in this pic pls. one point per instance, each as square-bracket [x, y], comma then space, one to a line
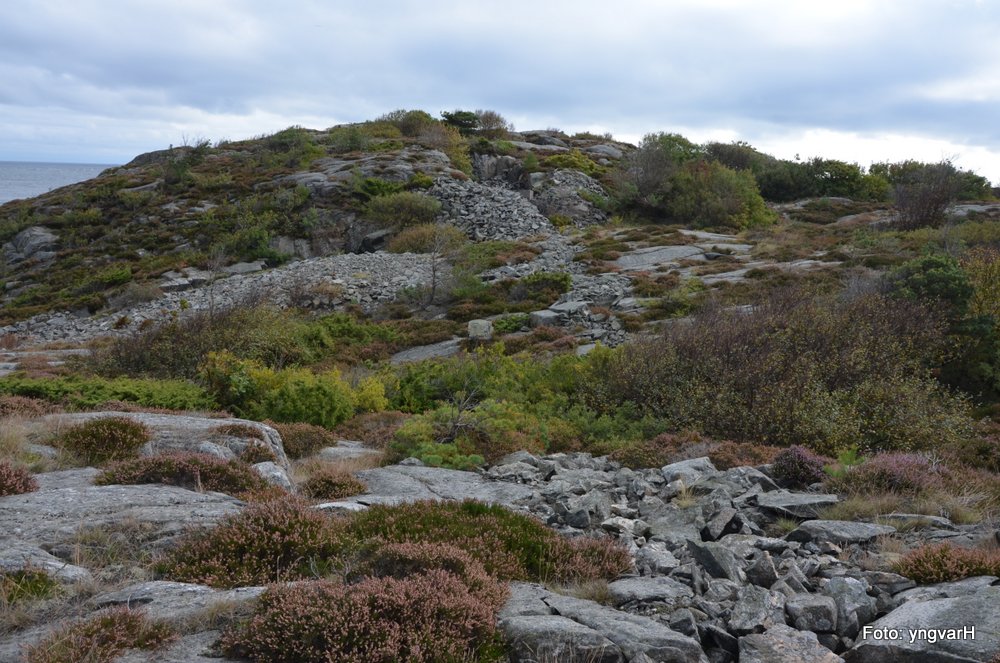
[905, 474]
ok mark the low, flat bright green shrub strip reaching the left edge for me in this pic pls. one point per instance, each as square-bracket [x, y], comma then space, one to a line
[89, 392]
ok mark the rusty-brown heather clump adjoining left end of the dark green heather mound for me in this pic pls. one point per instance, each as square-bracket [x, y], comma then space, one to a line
[274, 541]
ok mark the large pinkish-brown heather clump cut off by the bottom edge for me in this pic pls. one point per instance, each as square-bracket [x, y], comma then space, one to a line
[424, 618]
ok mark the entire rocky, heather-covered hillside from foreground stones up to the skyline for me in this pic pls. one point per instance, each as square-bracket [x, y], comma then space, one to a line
[486, 394]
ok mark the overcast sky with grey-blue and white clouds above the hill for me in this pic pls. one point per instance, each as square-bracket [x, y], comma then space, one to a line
[101, 81]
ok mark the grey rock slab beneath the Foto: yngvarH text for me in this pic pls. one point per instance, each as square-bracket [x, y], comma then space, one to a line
[952, 630]
